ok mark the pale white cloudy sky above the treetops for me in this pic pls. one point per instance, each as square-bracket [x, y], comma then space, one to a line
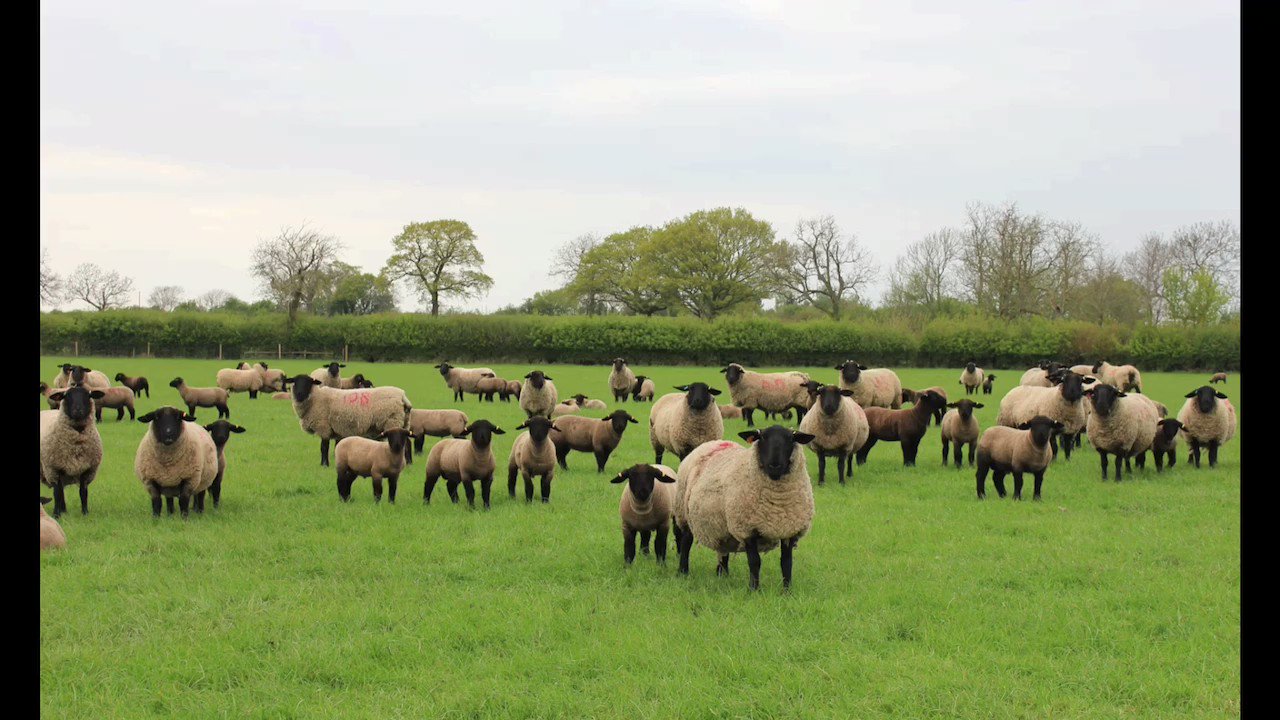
[176, 135]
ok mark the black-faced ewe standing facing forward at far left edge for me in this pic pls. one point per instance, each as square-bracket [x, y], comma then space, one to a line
[71, 449]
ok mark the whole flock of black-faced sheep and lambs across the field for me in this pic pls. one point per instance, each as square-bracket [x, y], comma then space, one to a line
[725, 496]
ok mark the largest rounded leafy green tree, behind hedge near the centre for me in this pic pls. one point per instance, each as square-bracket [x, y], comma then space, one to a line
[716, 261]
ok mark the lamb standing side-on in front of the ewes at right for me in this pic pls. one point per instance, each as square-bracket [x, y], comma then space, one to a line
[1026, 449]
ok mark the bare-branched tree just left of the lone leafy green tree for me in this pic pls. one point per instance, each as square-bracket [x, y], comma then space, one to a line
[291, 266]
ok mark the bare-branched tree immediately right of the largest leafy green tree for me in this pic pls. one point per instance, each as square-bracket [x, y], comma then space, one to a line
[822, 268]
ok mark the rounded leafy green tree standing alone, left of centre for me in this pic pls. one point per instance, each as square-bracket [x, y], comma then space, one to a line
[438, 259]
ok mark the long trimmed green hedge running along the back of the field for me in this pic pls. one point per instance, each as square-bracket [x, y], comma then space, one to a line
[753, 341]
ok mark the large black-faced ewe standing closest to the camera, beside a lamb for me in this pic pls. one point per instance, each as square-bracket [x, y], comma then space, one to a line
[734, 499]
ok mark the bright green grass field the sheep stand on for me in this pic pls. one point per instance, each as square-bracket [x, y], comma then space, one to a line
[911, 598]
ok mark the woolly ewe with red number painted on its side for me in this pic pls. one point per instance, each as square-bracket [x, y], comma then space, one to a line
[336, 414]
